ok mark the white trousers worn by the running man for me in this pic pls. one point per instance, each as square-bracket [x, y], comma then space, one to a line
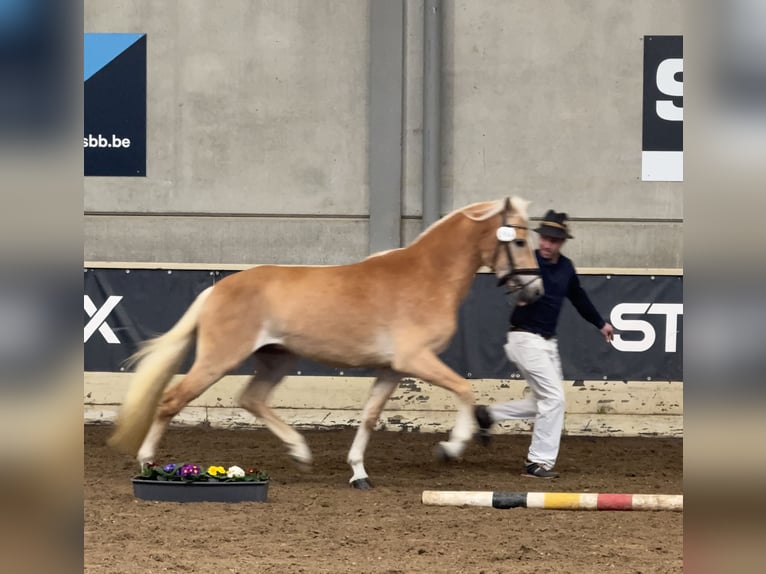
[538, 362]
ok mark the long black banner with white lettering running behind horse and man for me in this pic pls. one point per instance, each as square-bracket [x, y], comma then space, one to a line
[125, 307]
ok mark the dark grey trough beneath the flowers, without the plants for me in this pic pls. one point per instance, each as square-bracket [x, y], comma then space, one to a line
[197, 491]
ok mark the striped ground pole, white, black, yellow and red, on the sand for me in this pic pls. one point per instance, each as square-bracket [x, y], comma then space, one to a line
[554, 500]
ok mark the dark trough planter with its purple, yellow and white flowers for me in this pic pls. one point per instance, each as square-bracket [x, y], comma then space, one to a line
[189, 483]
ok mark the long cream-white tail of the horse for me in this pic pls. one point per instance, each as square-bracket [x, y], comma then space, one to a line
[157, 360]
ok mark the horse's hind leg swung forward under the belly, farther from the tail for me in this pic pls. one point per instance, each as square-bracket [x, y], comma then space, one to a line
[272, 365]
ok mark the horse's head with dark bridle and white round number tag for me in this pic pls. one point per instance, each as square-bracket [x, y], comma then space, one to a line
[509, 253]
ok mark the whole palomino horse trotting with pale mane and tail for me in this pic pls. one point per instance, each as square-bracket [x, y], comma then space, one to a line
[394, 310]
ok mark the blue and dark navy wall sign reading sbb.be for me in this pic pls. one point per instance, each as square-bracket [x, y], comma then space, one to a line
[115, 104]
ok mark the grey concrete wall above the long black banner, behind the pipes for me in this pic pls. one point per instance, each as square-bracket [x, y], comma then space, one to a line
[258, 128]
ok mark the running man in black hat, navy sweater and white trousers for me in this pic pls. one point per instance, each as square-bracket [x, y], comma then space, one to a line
[533, 348]
